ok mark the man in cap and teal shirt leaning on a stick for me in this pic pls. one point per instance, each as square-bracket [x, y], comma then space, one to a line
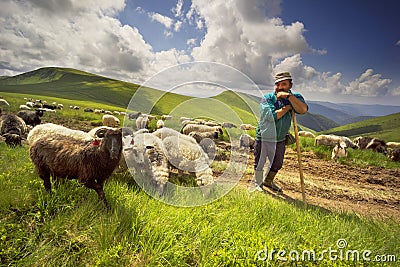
[276, 110]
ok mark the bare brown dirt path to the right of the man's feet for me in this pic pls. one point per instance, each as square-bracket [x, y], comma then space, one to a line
[370, 191]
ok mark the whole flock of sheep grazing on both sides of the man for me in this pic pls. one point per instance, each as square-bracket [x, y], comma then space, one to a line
[91, 157]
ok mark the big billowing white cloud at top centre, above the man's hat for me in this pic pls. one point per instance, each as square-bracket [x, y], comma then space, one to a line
[247, 36]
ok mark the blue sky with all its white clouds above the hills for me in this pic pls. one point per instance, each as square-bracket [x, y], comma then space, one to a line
[338, 51]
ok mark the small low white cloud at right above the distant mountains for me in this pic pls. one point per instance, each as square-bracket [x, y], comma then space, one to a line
[369, 84]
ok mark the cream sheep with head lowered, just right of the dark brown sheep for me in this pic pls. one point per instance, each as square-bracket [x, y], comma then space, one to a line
[145, 154]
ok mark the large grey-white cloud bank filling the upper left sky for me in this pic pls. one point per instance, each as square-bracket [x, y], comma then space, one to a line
[85, 36]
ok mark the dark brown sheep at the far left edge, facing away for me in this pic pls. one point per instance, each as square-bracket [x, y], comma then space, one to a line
[13, 129]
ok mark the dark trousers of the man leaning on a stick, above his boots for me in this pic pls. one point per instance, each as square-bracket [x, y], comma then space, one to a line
[274, 152]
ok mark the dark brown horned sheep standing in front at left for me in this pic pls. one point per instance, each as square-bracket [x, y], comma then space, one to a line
[67, 157]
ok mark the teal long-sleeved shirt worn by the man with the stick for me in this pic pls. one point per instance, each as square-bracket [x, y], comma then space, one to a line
[270, 128]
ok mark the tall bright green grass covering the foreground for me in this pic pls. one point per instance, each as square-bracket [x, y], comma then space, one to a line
[71, 227]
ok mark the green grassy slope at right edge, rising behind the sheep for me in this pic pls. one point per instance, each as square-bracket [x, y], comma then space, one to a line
[385, 127]
